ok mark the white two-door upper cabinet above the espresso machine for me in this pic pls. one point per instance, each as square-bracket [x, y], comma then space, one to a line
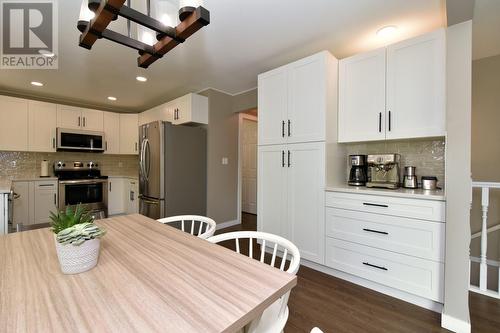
[396, 92]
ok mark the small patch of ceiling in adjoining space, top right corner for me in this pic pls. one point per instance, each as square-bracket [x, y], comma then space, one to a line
[485, 29]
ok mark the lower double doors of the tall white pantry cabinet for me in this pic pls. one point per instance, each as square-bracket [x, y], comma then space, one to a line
[291, 185]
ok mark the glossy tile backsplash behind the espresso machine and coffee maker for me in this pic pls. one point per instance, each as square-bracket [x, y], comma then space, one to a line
[428, 155]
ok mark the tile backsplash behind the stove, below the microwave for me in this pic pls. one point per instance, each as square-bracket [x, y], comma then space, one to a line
[26, 165]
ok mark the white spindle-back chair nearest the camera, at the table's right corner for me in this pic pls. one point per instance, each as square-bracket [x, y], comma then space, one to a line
[274, 318]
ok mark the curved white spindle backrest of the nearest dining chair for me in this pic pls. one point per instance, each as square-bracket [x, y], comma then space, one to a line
[278, 245]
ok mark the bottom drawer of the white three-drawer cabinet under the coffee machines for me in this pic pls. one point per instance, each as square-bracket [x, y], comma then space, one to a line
[413, 275]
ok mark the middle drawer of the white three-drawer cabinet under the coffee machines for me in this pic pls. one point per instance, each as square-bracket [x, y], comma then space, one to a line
[417, 238]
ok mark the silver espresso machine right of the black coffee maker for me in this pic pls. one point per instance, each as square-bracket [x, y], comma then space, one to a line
[383, 171]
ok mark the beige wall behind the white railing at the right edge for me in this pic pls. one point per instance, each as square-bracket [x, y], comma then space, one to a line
[486, 156]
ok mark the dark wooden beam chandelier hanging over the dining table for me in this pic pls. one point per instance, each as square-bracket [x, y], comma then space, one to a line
[191, 20]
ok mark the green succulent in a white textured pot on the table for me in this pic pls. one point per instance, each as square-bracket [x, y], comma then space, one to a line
[77, 239]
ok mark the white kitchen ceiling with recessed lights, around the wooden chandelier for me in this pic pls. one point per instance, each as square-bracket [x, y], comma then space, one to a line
[244, 38]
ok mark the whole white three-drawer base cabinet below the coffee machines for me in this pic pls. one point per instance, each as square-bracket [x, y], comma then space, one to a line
[396, 242]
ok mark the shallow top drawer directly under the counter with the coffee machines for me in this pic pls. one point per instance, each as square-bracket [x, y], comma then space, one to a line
[412, 208]
